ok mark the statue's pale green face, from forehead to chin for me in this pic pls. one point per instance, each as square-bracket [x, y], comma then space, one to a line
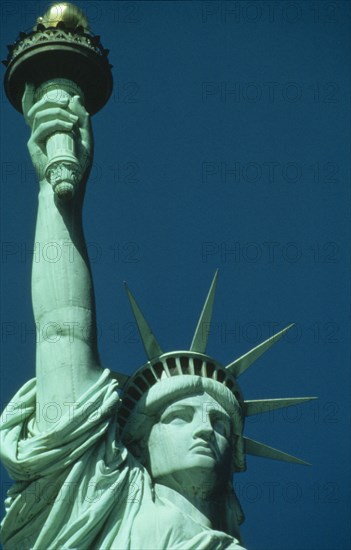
[192, 437]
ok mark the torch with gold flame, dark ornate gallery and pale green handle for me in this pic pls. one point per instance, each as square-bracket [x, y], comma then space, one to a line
[60, 58]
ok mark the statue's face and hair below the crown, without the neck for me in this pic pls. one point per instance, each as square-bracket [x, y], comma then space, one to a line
[187, 423]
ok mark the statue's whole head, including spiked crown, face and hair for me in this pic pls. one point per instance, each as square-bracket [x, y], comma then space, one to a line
[182, 414]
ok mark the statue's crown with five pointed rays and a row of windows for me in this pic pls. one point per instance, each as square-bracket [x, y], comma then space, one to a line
[163, 366]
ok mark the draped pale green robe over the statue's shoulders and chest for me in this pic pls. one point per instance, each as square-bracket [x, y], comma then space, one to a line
[77, 487]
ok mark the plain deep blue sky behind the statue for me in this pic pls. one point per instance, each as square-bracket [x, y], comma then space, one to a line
[225, 145]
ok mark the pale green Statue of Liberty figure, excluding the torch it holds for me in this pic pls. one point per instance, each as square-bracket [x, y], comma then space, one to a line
[144, 462]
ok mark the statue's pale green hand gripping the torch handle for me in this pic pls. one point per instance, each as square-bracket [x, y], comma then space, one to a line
[48, 116]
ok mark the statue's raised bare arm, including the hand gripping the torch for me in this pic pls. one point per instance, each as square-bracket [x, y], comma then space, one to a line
[67, 360]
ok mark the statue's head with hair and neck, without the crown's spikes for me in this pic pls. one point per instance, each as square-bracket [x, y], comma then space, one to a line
[186, 431]
